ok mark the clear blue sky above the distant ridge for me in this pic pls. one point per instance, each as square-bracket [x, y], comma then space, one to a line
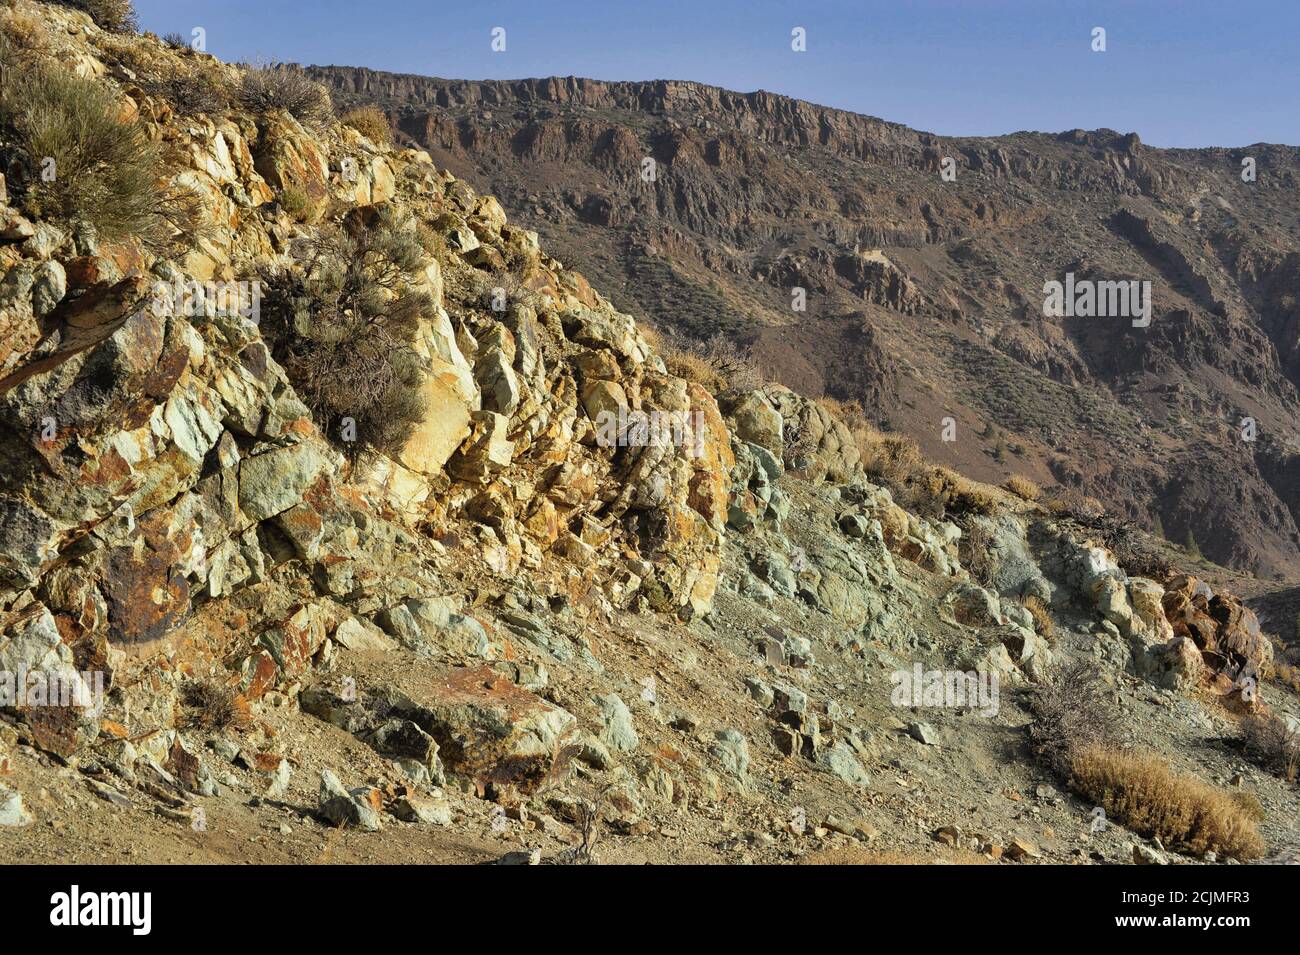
[1178, 72]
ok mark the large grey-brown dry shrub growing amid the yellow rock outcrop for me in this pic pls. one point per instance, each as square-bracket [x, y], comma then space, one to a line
[344, 327]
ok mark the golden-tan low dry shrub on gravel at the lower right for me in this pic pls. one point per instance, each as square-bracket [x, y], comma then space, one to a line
[1142, 792]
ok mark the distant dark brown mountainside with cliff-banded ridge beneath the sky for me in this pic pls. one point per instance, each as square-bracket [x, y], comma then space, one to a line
[925, 259]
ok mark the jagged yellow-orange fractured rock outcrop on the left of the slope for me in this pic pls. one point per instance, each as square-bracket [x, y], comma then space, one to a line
[161, 472]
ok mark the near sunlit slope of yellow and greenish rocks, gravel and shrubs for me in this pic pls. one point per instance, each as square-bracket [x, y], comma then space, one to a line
[343, 523]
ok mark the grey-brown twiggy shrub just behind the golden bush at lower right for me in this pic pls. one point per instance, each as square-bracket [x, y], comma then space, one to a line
[1072, 714]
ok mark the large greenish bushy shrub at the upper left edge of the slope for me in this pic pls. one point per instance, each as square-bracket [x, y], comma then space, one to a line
[107, 171]
